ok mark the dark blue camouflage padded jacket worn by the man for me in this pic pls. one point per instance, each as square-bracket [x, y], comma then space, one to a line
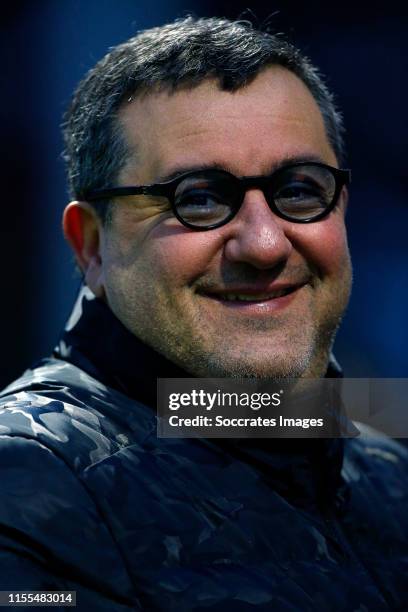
[93, 501]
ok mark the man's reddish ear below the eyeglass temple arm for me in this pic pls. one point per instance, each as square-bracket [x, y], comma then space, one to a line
[83, 231]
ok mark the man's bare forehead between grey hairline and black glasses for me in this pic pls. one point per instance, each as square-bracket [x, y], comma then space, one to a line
[247, 131]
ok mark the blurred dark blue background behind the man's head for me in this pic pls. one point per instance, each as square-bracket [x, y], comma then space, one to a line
[47, 46]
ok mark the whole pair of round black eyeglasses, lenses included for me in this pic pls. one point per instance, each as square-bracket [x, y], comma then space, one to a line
[301, 192]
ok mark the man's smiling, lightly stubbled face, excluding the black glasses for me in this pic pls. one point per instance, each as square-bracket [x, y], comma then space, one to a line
[173, 287]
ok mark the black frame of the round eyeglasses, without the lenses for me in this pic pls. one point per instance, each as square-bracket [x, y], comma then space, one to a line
[168, 190]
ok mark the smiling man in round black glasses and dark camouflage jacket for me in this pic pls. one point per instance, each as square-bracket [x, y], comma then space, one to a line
[205, 161]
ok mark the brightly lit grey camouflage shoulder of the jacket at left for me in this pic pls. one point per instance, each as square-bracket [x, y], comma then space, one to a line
[72, 414]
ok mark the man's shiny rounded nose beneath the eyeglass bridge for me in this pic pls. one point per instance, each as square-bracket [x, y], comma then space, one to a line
[256, 235]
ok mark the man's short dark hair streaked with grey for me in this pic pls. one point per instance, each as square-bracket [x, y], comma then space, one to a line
[179, 54]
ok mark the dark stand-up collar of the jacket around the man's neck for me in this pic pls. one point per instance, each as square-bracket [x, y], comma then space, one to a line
[96, 341]
